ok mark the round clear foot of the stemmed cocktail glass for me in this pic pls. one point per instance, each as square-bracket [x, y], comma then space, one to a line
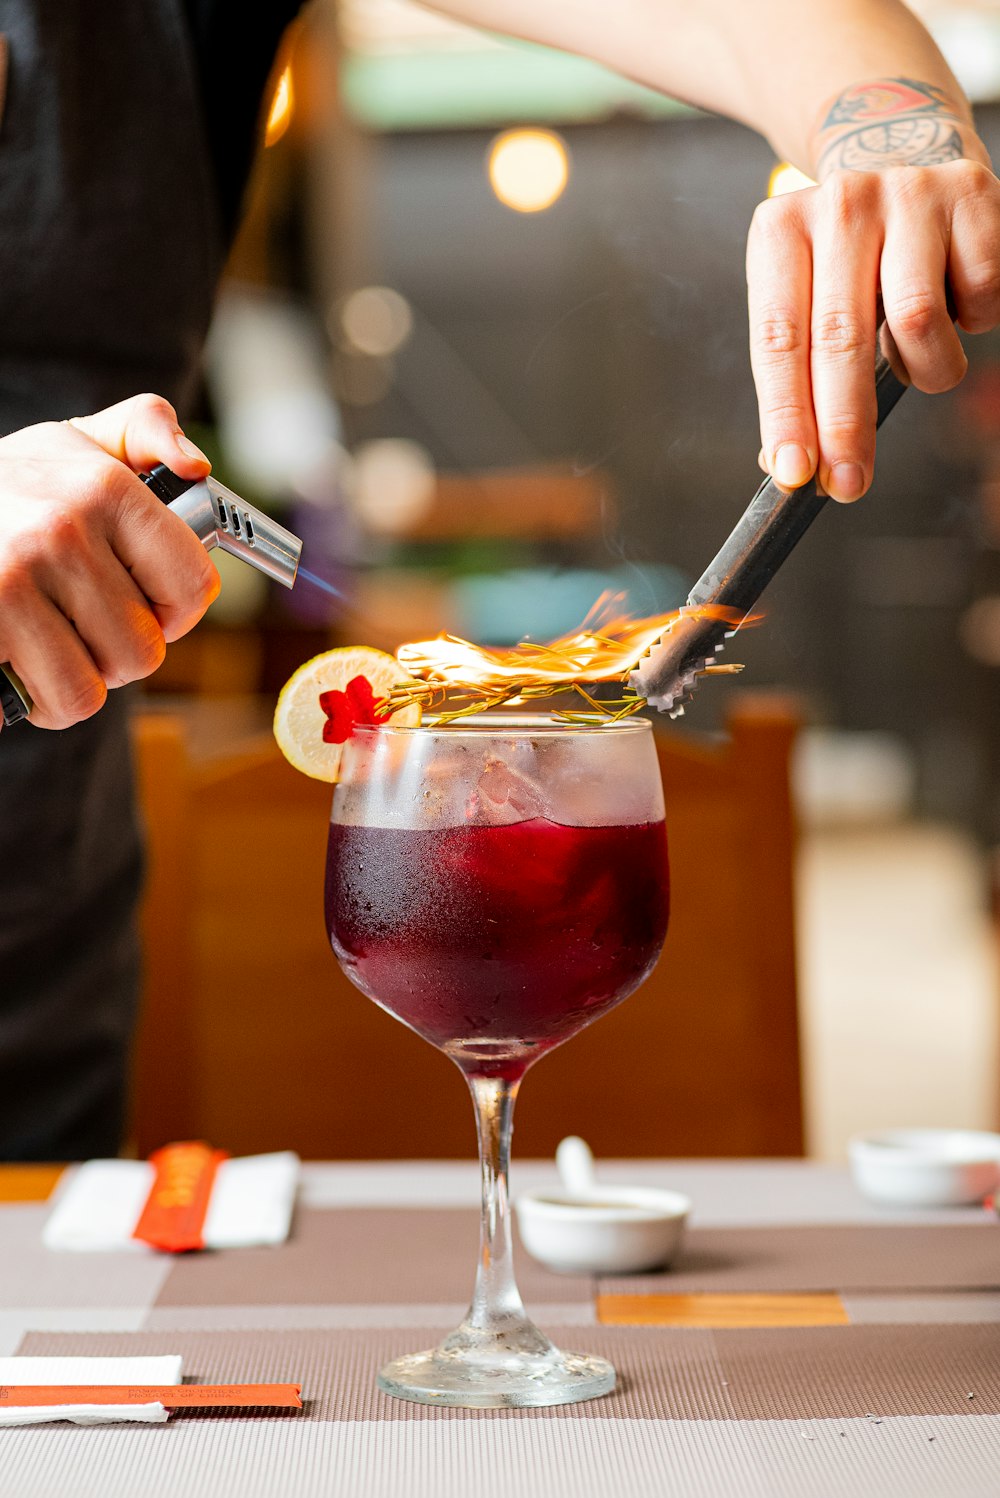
[495, 1373]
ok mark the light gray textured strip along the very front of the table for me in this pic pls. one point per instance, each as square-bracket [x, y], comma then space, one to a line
[924, 1457]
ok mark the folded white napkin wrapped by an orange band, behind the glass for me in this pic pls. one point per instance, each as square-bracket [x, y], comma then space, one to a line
[101, 1204]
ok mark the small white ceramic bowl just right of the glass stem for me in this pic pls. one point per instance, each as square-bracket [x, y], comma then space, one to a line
[610, 1231]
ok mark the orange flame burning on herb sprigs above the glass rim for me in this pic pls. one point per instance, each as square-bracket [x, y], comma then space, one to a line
[607, 648]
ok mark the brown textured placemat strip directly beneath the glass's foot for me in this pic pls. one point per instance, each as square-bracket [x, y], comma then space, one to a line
[803, 1373]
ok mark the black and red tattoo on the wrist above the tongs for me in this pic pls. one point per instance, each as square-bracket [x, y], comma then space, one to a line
[897, 122]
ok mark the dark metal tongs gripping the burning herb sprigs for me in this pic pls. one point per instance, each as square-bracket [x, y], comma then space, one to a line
[764, 537]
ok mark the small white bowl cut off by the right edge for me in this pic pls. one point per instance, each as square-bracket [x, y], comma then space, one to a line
[926, 1168]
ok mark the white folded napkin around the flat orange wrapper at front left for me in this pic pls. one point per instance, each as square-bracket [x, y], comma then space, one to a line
[88, 1371]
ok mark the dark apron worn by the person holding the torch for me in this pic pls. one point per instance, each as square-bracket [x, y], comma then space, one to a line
[110, 254]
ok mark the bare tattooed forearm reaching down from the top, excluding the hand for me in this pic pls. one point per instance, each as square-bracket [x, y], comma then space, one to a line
[811, 76]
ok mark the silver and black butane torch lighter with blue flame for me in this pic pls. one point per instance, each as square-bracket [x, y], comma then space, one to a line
[219, 519]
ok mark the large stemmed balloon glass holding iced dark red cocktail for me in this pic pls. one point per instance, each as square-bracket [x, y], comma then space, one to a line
[496, 885]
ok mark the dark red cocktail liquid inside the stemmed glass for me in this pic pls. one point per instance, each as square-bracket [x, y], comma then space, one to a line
[498, 943]
